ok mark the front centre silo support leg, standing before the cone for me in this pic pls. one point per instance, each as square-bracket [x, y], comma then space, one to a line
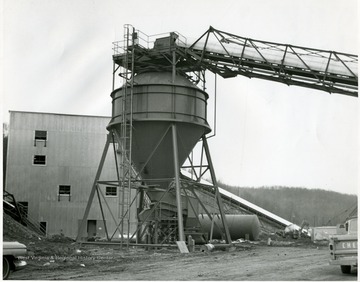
[177, 184]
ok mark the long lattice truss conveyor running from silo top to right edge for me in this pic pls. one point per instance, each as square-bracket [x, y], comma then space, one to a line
[229, 55]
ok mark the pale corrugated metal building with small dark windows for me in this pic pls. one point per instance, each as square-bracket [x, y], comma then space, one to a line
[52, 161]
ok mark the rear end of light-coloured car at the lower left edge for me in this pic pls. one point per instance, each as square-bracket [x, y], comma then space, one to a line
[12, 252]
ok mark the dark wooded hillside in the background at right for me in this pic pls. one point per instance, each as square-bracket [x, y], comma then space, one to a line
[318, 207]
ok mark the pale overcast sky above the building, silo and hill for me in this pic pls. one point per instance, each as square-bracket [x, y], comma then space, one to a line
[57, 57]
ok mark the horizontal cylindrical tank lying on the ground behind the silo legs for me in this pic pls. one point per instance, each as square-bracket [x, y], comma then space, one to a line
[240, 226]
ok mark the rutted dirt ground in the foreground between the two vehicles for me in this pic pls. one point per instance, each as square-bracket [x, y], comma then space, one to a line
[249, 261]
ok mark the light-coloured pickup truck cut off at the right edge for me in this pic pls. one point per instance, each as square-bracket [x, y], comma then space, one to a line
[343, 246]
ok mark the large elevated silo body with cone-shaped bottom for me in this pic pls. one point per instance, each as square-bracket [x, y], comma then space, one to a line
[158, 102]
